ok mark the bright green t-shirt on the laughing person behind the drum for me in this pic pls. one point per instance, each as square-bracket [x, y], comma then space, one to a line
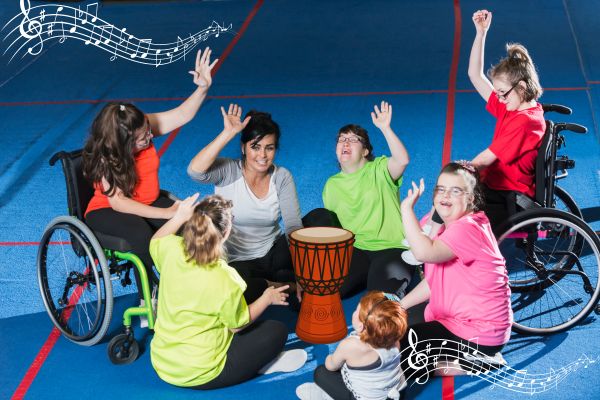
[367, 203]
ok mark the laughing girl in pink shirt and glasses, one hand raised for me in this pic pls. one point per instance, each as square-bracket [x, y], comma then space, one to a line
[466, 282]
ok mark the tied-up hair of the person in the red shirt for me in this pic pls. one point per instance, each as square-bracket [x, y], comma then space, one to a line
[518, 66]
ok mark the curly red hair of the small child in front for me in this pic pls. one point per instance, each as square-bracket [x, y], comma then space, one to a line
[384, 320]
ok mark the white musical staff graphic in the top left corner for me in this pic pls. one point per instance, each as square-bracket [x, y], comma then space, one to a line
[29, 30]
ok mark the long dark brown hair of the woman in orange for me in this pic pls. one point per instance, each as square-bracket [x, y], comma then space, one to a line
[109, 150]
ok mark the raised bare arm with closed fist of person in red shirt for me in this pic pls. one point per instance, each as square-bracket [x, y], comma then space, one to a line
[482, 20]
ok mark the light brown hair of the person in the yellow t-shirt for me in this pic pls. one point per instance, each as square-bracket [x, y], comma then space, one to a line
[204, 232]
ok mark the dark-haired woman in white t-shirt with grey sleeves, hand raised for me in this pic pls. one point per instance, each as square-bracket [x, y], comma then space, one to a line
[262, 194]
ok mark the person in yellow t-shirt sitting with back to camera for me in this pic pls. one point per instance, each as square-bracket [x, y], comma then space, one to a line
[205, 337]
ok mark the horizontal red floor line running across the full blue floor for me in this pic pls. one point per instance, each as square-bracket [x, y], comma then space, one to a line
[268, 96]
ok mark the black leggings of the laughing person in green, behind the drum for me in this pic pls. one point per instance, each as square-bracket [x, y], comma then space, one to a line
[376, 270]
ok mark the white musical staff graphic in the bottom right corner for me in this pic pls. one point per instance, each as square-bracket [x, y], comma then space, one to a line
[430, 355]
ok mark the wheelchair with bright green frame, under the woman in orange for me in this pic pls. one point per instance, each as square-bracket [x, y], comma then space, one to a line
[76, 265]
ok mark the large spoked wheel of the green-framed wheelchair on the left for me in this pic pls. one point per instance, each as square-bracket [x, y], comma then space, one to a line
[74, 281]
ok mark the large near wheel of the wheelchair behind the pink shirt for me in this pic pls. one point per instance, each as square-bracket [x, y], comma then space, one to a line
[554, 285]
